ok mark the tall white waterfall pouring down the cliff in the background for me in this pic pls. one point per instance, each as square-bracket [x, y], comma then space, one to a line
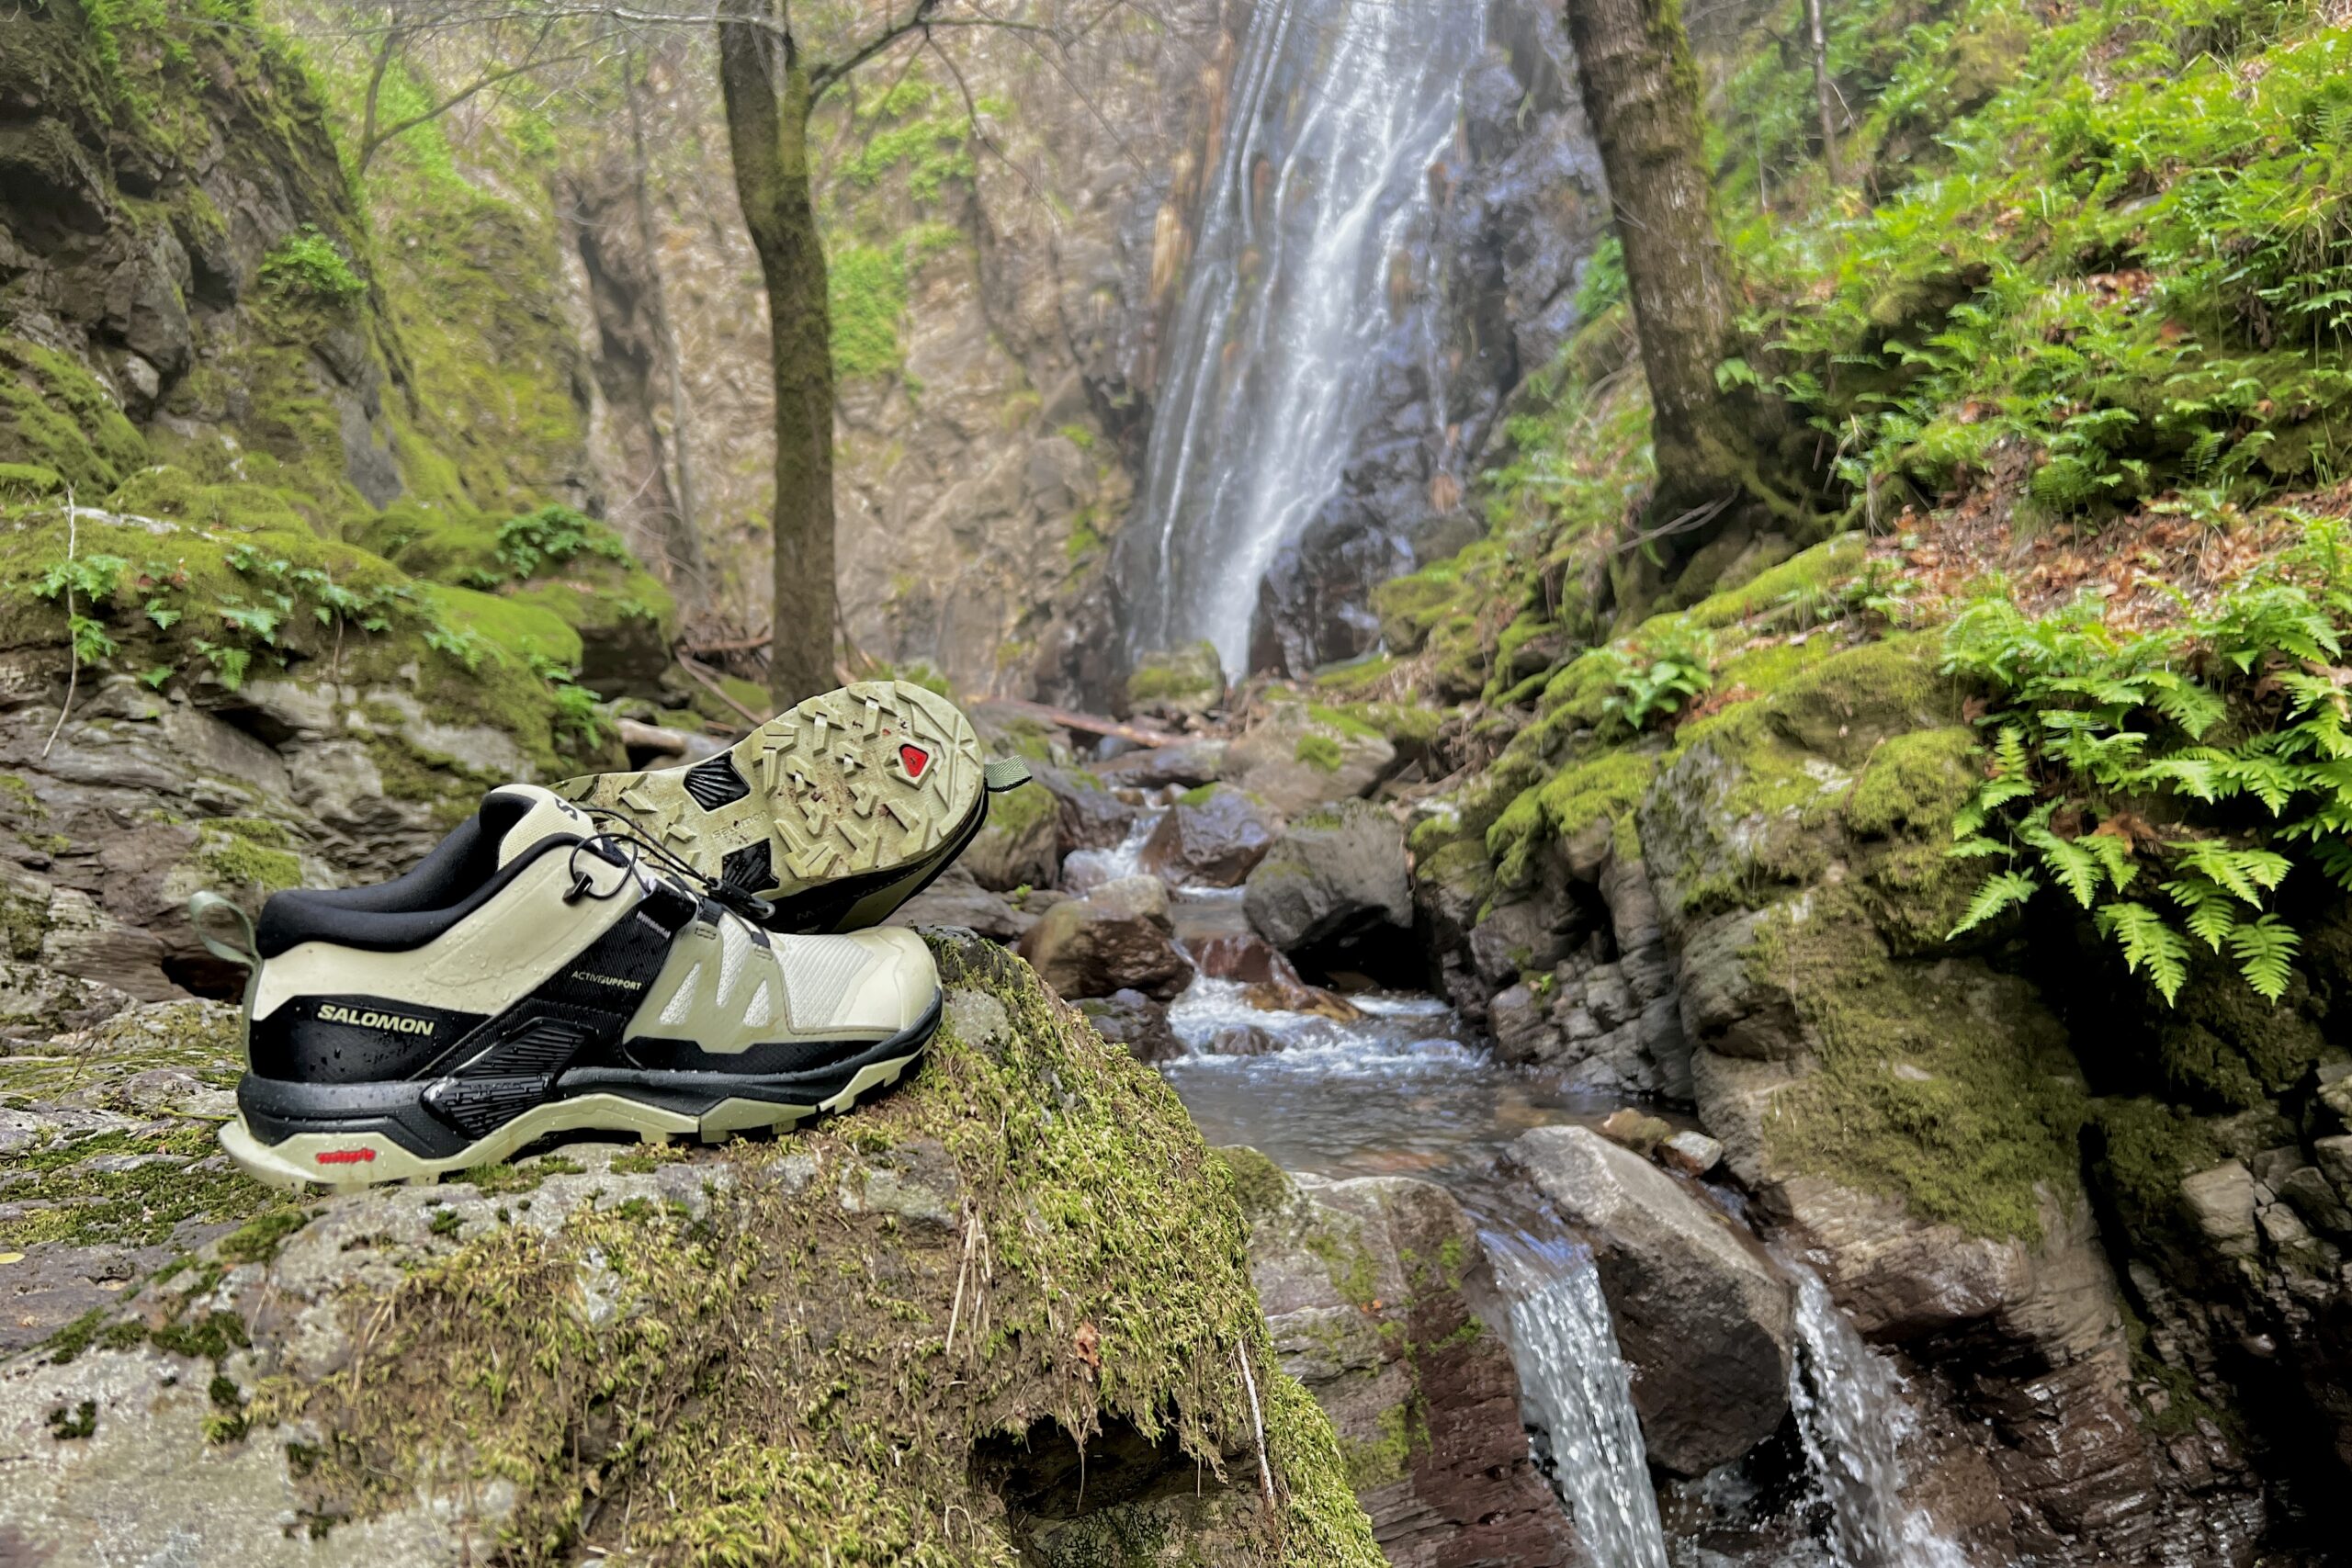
[1318, 196]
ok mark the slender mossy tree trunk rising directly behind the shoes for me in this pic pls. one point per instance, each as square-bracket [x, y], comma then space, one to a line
[768, 133]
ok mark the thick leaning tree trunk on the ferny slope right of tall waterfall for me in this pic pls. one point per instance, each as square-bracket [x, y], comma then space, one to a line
[1641, 95]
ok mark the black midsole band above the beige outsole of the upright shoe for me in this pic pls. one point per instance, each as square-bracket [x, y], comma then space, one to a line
[279, 1108]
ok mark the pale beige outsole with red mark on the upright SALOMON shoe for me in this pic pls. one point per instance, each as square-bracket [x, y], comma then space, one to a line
[342, 1162]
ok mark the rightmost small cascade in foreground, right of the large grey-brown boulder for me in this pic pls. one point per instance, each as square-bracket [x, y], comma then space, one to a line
[1855, 1421]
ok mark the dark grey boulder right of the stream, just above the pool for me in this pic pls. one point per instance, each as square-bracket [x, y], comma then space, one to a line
[1335, 876]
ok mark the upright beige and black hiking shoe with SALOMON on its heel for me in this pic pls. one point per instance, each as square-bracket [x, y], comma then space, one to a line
[535, 977]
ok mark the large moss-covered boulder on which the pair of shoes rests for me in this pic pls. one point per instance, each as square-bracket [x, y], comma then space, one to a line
[248, 1400]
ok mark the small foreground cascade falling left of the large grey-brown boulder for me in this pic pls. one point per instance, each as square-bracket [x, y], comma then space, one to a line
[1582, 1393]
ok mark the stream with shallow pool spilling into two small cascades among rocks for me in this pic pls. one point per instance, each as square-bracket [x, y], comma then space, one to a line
[1410, 1090]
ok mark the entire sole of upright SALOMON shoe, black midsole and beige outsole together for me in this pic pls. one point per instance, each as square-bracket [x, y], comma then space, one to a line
[632, 1104]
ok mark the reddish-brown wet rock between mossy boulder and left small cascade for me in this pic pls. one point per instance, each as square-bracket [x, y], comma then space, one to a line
[1384, 1308]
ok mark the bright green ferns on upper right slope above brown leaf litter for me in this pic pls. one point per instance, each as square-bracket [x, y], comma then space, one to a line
[2116, 241]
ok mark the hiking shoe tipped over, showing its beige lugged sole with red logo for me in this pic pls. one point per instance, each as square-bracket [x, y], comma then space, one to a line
[834, 812]
